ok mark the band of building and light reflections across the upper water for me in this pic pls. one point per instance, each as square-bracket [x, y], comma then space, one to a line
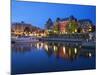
[59, 50]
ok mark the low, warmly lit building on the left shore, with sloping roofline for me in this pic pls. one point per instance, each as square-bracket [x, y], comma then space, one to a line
[20, 29]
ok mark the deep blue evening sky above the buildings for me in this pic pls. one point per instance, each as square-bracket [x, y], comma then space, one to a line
[38, 13]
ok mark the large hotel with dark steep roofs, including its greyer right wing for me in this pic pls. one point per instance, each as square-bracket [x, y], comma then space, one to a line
[72, 25]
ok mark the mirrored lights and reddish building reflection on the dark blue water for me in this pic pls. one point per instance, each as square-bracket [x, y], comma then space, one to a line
[60, 50]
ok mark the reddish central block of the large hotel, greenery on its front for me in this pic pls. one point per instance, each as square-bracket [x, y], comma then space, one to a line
[67, 25]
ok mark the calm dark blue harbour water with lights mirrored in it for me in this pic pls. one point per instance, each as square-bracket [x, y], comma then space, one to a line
[52, 56]
